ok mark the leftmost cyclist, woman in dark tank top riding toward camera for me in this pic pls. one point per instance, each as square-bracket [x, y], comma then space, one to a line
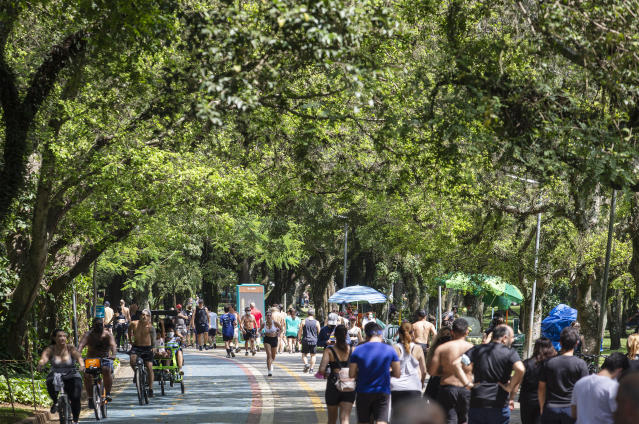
[63, 357]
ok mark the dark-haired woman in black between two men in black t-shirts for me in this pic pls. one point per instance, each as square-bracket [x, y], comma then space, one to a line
[528, 398]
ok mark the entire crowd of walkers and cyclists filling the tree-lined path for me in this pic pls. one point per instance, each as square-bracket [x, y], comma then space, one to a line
[424, 370]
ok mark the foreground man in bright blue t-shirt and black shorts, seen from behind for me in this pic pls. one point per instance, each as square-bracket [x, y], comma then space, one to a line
[371, 364]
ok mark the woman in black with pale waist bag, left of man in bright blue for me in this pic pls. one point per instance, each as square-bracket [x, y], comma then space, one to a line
[340, 388]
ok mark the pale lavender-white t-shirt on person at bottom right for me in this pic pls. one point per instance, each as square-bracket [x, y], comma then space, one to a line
[594, 396]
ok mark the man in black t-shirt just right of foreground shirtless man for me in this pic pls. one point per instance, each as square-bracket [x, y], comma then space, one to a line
[497, 371]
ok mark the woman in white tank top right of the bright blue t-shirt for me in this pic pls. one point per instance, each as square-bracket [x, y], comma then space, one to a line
[412, 364]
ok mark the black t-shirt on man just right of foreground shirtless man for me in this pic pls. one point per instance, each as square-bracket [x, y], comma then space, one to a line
[492, 363]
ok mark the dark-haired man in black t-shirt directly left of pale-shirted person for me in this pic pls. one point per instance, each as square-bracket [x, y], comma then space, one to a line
[557, 379]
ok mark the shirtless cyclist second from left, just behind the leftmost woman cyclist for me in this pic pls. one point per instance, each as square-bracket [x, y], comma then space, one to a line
[100, 344]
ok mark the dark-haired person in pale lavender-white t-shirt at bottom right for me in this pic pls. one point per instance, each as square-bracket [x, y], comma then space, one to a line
[593, 397]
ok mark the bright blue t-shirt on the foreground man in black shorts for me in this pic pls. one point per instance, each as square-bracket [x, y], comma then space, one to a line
[373, 361]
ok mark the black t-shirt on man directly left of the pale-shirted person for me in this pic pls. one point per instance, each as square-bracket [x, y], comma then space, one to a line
[560, 374]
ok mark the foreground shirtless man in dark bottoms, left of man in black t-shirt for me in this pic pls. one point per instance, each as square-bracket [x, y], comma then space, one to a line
[454, 394]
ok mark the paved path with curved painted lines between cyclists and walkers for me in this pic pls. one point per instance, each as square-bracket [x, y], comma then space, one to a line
[221, 390]
